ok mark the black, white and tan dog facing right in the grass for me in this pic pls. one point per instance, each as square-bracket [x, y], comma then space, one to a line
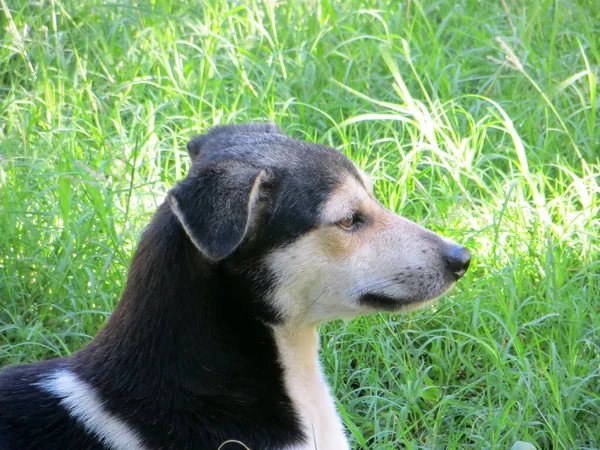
[214, 340]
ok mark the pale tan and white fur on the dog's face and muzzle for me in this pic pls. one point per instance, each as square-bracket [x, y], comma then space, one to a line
[323, 275]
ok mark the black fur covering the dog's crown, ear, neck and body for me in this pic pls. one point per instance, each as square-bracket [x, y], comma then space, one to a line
[187, 359]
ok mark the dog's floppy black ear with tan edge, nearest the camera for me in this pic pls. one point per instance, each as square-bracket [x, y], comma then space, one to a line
[215, 205]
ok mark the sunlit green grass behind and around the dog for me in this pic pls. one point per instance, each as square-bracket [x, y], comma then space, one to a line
[479, 119]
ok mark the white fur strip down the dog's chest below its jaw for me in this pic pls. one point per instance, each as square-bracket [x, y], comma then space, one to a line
[304, 382]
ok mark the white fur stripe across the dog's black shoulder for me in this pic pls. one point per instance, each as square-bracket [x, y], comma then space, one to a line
[85, 406]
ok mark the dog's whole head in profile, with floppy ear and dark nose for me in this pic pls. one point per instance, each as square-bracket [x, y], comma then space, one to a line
[301, 219]
